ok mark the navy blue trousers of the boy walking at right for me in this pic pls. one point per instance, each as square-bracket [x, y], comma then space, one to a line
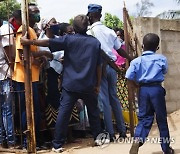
[152, 102]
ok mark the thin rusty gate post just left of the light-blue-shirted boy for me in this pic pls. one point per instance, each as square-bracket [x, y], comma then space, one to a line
[130, 89]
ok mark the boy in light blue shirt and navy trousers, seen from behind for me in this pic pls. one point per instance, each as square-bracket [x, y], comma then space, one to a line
[148, 71]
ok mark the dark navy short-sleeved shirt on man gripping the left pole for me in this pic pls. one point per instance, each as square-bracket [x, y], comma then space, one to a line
[81, 58]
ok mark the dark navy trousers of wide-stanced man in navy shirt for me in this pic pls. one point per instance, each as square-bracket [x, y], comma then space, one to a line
[67, 102]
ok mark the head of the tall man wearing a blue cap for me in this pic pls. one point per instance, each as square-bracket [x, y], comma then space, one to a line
[94, 13]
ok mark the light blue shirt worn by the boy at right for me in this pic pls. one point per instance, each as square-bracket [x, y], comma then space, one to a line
[150, 67]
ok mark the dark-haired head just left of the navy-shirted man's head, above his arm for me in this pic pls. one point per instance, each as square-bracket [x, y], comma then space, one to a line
[66, 28]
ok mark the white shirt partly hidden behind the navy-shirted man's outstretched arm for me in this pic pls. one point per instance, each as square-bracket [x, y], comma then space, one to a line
[55, 63]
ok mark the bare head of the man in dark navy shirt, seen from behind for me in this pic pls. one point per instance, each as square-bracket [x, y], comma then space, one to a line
[80, 24]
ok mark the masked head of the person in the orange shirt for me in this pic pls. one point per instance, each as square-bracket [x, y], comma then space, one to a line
[34, 14]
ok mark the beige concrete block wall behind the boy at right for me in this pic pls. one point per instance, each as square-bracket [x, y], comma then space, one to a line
[169, 32]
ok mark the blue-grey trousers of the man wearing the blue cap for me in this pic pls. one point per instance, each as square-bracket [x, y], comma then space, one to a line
[109, 100]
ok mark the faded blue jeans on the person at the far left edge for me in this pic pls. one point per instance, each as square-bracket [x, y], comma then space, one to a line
[6, 113]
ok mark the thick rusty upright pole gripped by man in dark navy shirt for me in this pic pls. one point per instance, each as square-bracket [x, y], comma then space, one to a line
[30, 132]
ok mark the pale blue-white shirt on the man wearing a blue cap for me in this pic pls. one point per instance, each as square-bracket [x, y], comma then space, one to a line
[107, 38]
